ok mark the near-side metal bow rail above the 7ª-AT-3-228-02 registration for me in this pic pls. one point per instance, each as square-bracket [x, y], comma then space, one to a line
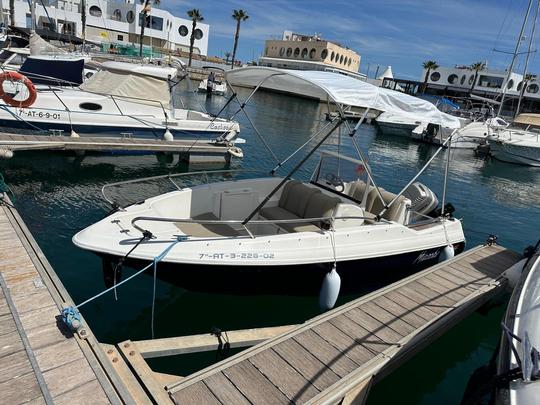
[323, 220]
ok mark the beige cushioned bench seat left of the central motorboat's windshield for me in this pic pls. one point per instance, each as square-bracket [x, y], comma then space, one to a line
[301, 201]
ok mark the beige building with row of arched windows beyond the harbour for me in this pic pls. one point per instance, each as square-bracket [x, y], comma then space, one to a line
[309, 52]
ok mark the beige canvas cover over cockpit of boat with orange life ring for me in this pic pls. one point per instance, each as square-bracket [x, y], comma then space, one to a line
[145, 89]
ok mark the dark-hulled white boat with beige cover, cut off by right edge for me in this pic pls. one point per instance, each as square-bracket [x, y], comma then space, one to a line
[519, 142]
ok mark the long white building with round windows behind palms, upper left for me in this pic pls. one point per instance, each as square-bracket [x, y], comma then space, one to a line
[113, 21]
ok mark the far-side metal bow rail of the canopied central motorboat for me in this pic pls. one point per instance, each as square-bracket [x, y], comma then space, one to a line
[170, 177]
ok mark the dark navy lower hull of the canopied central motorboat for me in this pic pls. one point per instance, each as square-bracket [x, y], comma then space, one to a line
[356, 275]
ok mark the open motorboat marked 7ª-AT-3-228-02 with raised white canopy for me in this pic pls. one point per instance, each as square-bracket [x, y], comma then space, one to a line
[258, 226]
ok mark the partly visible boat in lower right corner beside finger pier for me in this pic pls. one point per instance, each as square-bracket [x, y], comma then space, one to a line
[518, 362]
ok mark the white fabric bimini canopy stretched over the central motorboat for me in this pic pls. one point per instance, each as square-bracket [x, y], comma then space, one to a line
[343, 90]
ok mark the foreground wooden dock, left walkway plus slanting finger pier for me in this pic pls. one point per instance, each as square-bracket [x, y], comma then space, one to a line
[334, 357]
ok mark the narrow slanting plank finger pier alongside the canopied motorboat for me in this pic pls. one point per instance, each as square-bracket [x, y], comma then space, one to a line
[338, 354]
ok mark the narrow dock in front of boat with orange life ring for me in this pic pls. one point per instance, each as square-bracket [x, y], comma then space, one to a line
[193, 150]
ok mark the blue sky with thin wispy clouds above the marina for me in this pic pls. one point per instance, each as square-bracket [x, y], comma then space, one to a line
[399, 33]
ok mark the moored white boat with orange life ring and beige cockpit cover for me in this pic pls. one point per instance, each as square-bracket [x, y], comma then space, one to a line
[120, 98]
